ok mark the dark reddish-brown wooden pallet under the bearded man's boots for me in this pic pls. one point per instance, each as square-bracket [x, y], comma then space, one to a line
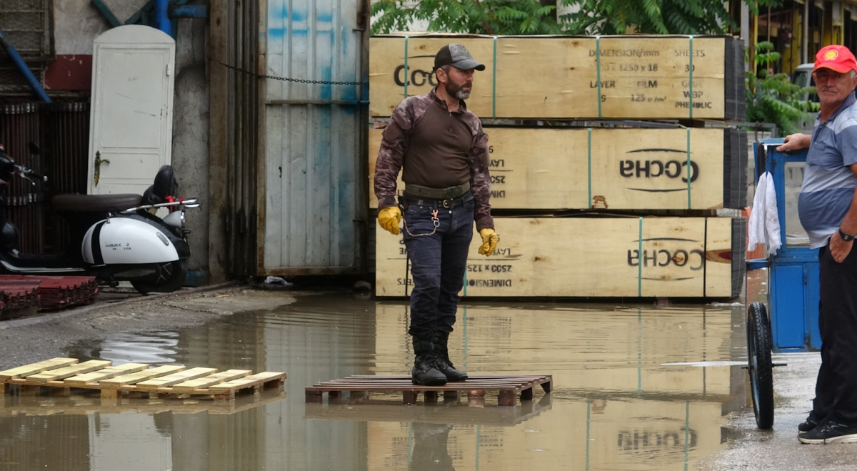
[508, 387]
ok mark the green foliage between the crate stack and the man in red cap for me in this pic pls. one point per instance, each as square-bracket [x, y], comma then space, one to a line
[772, 98]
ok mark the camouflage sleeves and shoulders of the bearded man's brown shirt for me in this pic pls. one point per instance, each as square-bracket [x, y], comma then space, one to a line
[394, 146]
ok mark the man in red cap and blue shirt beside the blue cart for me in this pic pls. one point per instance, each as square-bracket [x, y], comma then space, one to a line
[827, 207]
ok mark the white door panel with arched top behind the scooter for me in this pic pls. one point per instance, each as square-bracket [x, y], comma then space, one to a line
[131, 133]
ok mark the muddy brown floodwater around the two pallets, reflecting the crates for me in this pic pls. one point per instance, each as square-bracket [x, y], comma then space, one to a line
[619, 402]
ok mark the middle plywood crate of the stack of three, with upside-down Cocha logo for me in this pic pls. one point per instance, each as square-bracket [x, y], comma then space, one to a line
[579, 168]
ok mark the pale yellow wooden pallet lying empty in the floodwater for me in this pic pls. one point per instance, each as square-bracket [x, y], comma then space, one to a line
[64, 374]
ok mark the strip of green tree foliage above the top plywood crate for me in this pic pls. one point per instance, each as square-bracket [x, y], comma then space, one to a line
[540, 17]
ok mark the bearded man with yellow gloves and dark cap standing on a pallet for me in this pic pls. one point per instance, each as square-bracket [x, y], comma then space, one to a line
[444, 152]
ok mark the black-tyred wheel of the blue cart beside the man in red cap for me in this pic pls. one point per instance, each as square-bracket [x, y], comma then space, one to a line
[759, 365]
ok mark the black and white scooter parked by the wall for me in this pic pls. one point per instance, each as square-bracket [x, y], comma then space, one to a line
[113, 237]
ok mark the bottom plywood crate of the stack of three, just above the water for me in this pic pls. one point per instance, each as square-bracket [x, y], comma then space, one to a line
[591, 257]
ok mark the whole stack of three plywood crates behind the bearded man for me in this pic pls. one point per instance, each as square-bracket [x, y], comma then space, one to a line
[586, 201]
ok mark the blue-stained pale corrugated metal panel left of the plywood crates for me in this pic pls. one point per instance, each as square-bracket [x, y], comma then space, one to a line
[313, 217]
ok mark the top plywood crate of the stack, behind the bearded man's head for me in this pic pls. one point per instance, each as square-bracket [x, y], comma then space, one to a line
[641, 77]
